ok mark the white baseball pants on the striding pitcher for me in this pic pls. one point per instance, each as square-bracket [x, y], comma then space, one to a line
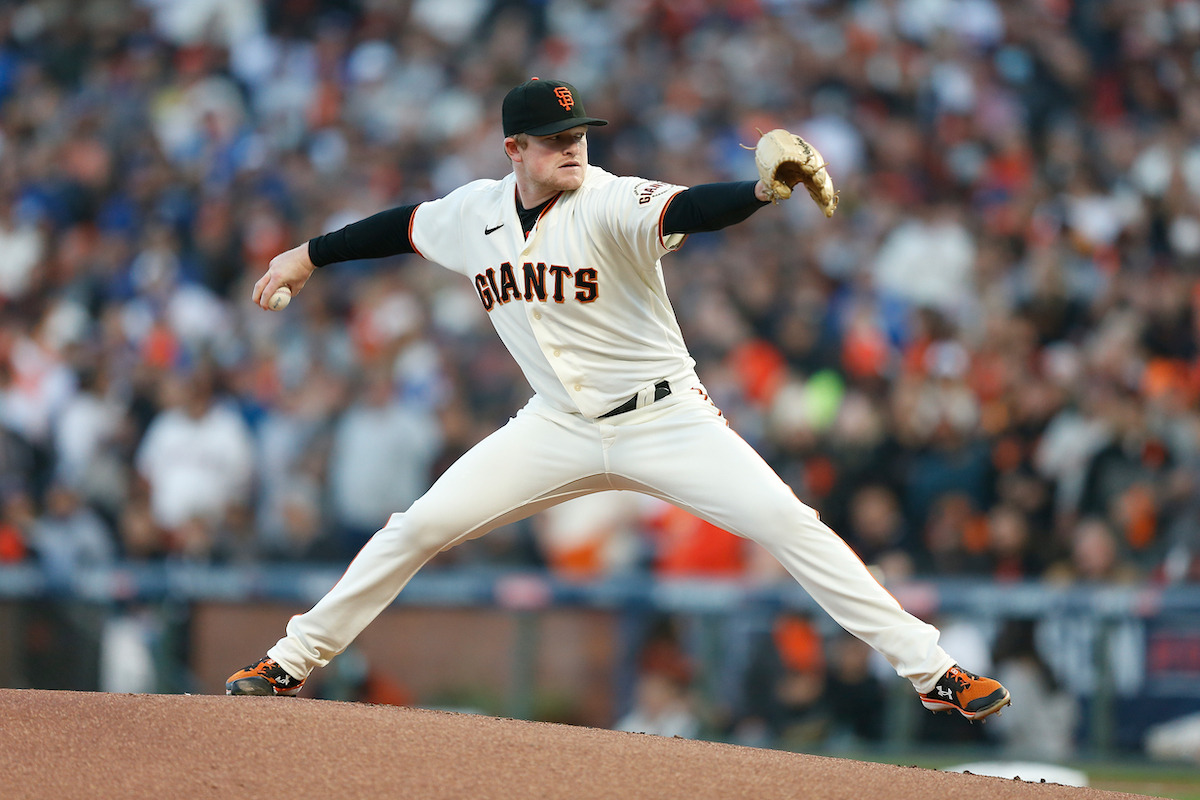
[679, 449]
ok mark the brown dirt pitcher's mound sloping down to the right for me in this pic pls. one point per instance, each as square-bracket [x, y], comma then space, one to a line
[83, 745]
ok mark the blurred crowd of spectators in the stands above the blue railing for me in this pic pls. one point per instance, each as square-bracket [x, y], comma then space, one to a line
[986, 364]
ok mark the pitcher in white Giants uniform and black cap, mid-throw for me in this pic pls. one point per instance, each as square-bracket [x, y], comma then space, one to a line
[566, 261]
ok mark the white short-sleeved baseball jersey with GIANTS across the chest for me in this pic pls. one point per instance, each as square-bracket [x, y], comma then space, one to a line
[580, 303]
